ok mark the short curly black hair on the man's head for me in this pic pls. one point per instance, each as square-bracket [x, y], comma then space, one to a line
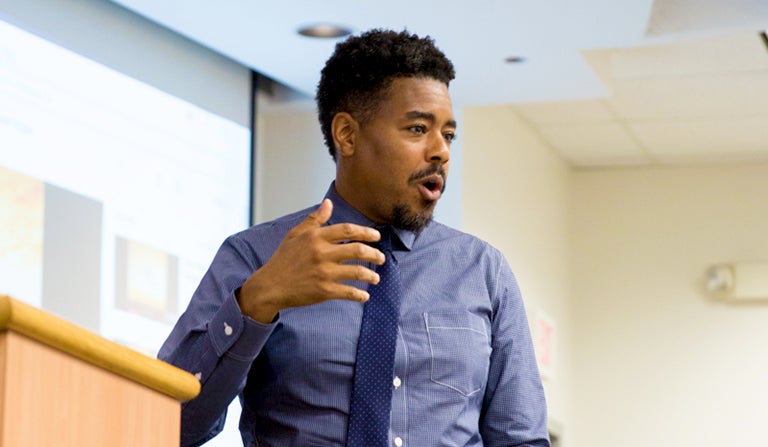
[362, 67]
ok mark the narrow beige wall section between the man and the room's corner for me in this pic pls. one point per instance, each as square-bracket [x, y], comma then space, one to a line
[516, 196]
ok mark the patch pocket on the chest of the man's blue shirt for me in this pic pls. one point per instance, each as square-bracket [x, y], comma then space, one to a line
[460, 350]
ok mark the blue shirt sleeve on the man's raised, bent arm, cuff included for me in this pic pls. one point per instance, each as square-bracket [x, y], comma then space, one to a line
[215, 342]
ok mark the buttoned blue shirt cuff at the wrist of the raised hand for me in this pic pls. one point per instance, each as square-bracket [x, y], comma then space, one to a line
[236, 335]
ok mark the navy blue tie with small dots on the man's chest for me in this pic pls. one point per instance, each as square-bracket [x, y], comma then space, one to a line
[372, 391]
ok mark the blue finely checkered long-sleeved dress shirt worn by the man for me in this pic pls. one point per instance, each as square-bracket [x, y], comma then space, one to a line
[464, 375]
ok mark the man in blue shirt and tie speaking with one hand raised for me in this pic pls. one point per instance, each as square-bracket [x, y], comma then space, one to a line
[277, 318]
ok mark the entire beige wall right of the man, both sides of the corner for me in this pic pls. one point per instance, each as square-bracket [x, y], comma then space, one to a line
[616, 257]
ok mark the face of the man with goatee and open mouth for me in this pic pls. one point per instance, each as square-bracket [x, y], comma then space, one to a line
[400, 162]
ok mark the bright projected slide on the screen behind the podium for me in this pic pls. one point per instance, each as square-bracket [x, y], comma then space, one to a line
[114, 195]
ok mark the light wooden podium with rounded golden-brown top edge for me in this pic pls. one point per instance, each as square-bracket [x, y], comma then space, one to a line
[61, 385]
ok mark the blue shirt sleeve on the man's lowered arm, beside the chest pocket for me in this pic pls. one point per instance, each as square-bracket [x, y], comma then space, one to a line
[514, 408]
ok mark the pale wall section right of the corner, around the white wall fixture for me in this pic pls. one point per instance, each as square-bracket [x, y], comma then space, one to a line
[656, 361]
